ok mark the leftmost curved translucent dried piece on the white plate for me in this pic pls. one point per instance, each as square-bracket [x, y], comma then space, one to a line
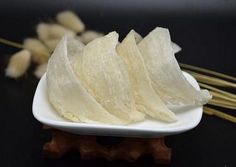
[66, 92]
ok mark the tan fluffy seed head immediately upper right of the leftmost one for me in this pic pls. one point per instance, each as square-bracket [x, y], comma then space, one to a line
[40, 53]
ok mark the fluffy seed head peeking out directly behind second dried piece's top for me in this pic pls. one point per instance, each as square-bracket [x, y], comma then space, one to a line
[90, 35]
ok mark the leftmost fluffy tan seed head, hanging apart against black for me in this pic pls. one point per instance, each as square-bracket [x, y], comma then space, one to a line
[19, 63]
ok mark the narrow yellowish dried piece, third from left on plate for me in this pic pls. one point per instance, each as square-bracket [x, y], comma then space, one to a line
[146, 98]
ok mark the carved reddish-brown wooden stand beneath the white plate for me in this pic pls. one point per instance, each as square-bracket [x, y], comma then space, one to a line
[129, 149]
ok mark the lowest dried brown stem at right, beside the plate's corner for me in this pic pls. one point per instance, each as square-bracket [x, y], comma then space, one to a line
[219, 114]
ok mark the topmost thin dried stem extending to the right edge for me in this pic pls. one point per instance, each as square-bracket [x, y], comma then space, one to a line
[207, 71]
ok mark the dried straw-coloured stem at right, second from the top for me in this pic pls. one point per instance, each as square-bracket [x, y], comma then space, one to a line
[211, 80]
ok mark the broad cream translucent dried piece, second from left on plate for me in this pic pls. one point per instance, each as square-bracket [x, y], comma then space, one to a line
[104, 74]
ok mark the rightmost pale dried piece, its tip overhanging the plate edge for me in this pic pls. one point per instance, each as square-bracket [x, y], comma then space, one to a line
[166, 76]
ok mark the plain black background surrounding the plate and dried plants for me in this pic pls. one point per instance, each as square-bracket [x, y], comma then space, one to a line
[206, 31]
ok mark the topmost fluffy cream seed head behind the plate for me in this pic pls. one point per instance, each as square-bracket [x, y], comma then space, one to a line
[71, 21]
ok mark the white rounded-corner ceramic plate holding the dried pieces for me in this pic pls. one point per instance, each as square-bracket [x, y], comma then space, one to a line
[46, 114]
